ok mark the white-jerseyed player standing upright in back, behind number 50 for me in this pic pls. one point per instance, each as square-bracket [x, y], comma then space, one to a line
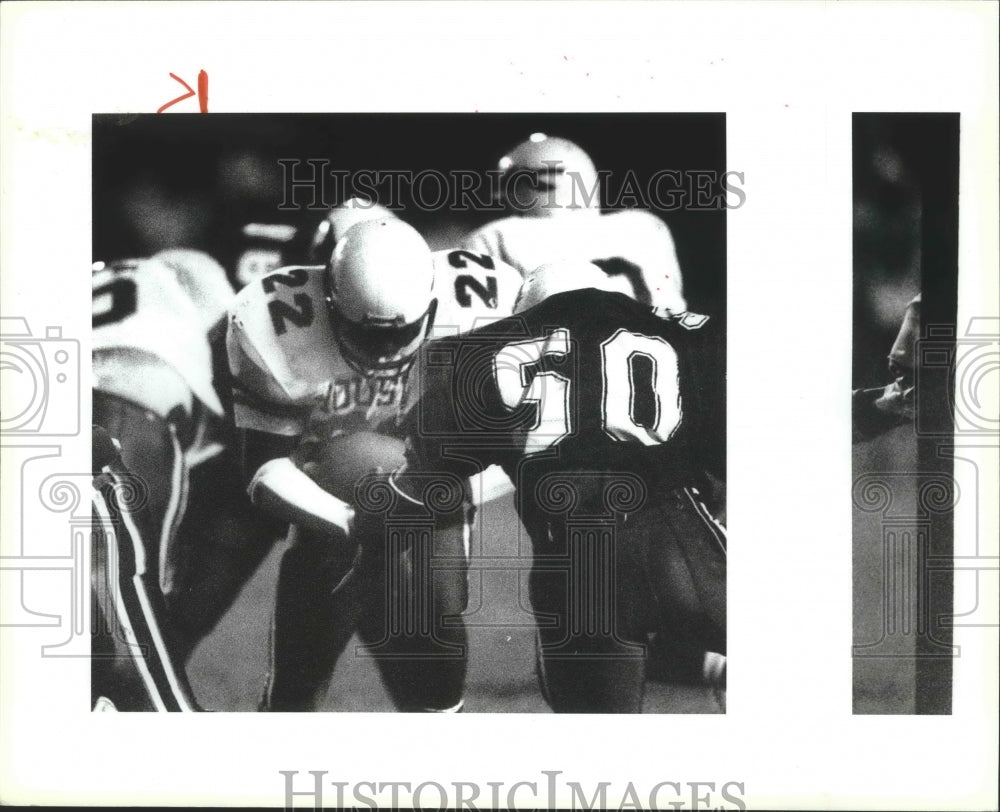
[552, 188]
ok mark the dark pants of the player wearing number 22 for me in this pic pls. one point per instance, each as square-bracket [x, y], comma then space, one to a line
[400, 588]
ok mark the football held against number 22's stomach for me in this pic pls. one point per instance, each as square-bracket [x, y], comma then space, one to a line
[343, 460]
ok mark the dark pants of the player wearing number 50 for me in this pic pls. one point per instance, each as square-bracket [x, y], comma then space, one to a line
[600, 583]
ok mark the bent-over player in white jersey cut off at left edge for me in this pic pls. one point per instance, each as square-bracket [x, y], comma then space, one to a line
[152, 369]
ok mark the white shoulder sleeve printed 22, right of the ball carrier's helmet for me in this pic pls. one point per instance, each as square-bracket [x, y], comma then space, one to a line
[472, 290]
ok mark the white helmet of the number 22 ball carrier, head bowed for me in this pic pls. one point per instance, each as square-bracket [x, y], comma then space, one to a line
[380, 294]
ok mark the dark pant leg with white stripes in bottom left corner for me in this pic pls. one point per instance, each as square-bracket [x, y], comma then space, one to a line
[132, 666]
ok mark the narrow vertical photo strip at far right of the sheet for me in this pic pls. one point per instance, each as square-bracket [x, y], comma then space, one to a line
[906, 206]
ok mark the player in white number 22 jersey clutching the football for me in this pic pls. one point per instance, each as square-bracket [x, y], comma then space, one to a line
[322, 352]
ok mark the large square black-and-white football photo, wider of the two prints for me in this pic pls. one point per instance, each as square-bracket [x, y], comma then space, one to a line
[410, 412]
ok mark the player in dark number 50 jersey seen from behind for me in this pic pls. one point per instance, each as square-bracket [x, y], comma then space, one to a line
[605, 416]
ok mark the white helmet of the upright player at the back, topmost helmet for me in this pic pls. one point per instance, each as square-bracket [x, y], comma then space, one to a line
[546, 176]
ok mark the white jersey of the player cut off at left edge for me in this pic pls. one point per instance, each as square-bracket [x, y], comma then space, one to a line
[139, 310]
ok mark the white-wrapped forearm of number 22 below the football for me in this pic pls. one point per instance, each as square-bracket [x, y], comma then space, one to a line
[280, 489]
